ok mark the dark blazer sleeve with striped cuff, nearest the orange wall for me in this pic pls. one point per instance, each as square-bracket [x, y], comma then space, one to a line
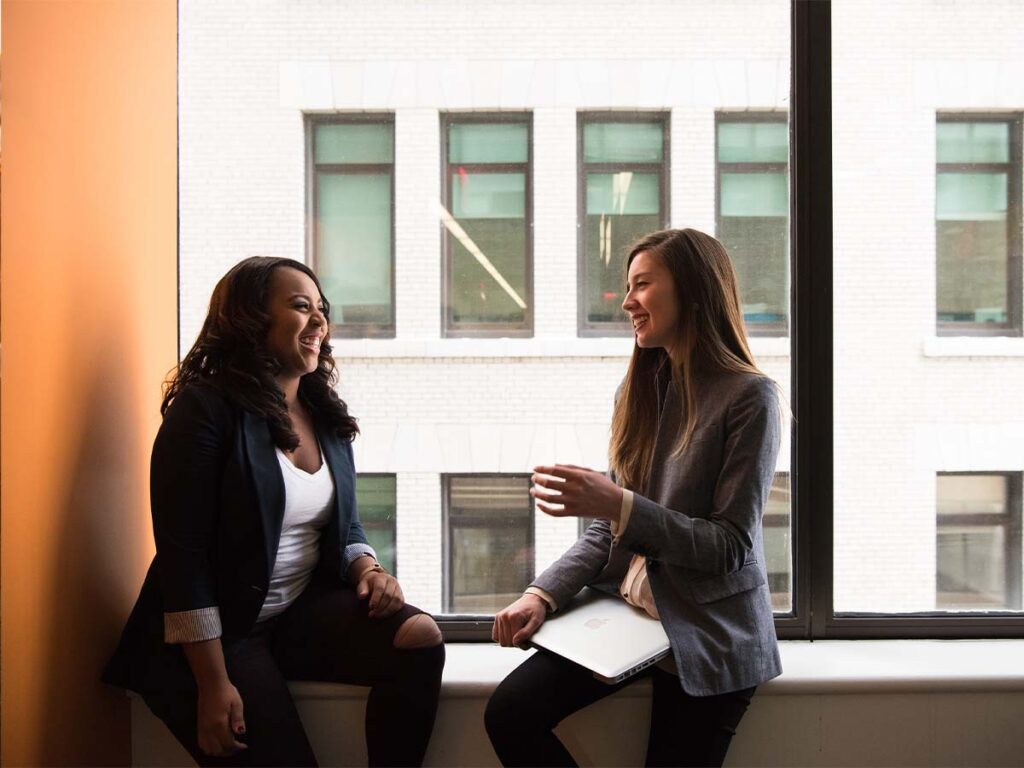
[186, 479]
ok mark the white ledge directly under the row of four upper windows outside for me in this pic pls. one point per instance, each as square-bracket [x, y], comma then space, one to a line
[621, 348]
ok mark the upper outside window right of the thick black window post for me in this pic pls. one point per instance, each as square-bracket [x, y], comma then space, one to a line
[972, 188]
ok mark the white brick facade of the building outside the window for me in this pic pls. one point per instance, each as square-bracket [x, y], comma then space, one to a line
[249, 71]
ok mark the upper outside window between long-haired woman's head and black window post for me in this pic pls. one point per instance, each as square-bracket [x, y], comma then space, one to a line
[753, 215]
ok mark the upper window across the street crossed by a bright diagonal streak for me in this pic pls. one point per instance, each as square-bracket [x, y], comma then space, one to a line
[489, 280]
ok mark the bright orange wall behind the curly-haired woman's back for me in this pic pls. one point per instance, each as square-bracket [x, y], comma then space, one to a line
[89, 329]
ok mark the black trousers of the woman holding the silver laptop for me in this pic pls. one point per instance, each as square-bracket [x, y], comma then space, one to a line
[545, 690]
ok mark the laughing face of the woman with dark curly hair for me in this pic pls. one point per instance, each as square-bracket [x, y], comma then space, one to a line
[297, 324]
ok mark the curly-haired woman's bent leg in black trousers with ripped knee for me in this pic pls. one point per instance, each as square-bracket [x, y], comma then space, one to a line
[327, 635]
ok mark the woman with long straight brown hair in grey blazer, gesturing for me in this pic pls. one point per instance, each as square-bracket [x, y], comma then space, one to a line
[695, 438]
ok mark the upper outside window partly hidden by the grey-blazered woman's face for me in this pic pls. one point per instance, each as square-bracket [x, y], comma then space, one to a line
[624, 170]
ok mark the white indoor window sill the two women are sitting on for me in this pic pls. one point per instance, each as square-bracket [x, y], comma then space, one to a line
[474, 670]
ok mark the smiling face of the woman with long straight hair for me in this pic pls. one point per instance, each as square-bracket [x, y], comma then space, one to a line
[652, 303]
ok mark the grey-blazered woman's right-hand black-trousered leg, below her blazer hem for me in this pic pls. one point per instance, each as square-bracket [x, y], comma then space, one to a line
[690, 731]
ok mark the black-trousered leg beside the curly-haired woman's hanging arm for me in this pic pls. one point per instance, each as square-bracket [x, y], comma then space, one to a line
[274, 733]
